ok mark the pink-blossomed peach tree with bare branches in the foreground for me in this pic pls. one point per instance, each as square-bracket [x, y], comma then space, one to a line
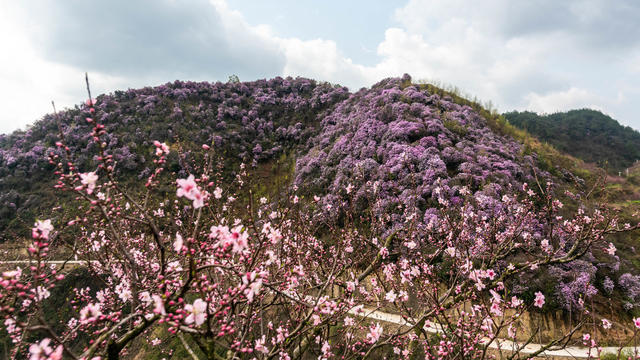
[233, 276]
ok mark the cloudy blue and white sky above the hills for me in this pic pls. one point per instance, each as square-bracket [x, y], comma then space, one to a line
[538, 55]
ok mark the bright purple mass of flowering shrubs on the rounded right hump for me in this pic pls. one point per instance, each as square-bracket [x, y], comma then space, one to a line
[393, 145]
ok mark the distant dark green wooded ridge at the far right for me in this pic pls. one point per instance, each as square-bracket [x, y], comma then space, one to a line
[586, 134]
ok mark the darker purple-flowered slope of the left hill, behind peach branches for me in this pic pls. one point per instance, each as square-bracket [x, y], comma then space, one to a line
[251, 122]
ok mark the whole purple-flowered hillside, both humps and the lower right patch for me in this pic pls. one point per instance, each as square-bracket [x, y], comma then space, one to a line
[397, 150]
